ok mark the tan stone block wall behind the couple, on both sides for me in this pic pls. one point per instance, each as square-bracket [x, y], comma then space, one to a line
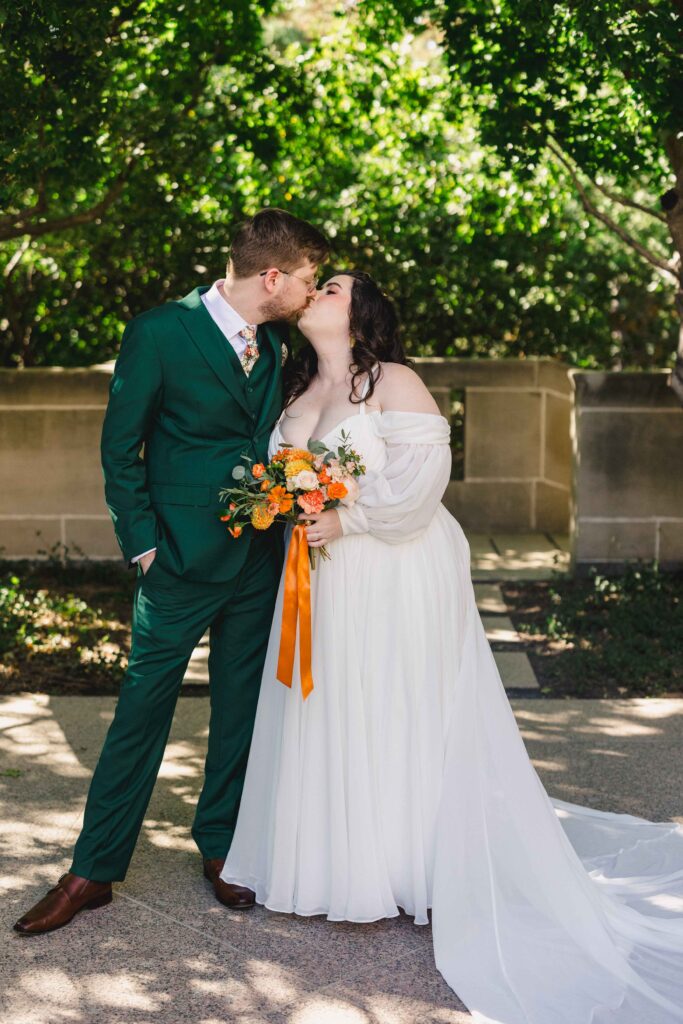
[541, 445]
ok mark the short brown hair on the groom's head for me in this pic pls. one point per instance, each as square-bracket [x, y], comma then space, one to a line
[275, 238]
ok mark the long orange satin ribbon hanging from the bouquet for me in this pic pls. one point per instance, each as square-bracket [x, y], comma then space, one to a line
[297, 606]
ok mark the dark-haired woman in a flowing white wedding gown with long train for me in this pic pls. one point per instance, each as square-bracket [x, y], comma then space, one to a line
[403, 782]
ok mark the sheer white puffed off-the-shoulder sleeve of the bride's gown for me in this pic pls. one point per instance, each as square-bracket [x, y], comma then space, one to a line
[399, 503]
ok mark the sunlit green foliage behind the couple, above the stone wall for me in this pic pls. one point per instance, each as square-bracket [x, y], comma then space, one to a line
[129, 173]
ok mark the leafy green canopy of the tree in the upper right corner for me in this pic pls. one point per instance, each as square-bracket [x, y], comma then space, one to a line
[599, 88]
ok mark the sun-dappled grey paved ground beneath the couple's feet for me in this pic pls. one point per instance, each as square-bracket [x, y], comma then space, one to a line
[165, 952]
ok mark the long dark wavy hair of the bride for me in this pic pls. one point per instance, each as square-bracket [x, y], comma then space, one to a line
[374, 328]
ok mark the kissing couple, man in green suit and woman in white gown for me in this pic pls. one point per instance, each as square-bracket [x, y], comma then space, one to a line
[402, 781]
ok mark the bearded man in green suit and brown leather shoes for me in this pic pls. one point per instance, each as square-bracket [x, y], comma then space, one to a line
[198, 383]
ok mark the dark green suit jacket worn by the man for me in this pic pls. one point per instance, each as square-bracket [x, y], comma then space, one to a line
[177, 393]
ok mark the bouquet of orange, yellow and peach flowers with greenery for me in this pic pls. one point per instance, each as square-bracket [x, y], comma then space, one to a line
[295, 482]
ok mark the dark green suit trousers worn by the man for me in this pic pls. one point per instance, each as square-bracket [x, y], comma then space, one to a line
[170, 616]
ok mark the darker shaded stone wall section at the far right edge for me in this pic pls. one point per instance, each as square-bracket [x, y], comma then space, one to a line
[628, 470]
